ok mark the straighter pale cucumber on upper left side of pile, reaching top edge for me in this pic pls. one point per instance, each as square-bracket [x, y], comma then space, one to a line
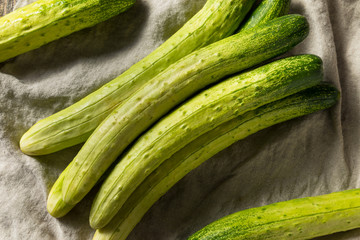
[73, 125]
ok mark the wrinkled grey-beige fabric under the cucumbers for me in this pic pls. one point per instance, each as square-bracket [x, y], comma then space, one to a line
[307, 156]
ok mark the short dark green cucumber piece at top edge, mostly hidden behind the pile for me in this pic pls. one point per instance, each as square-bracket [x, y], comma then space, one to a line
[266, 11]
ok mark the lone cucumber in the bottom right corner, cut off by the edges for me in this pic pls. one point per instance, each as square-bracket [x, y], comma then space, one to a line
[302, 218]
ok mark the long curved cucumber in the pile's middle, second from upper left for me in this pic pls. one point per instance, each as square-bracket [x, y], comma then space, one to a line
[182, 79]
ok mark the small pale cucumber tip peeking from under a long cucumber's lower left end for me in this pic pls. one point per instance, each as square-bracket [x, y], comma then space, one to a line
[55, 205]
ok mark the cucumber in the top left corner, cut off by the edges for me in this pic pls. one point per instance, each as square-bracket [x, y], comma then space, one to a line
[43, 21]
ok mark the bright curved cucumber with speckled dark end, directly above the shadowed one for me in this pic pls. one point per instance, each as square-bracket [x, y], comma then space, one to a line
[202, 113]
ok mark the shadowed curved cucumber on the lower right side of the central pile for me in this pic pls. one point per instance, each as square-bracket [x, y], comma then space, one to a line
[202, 148]
